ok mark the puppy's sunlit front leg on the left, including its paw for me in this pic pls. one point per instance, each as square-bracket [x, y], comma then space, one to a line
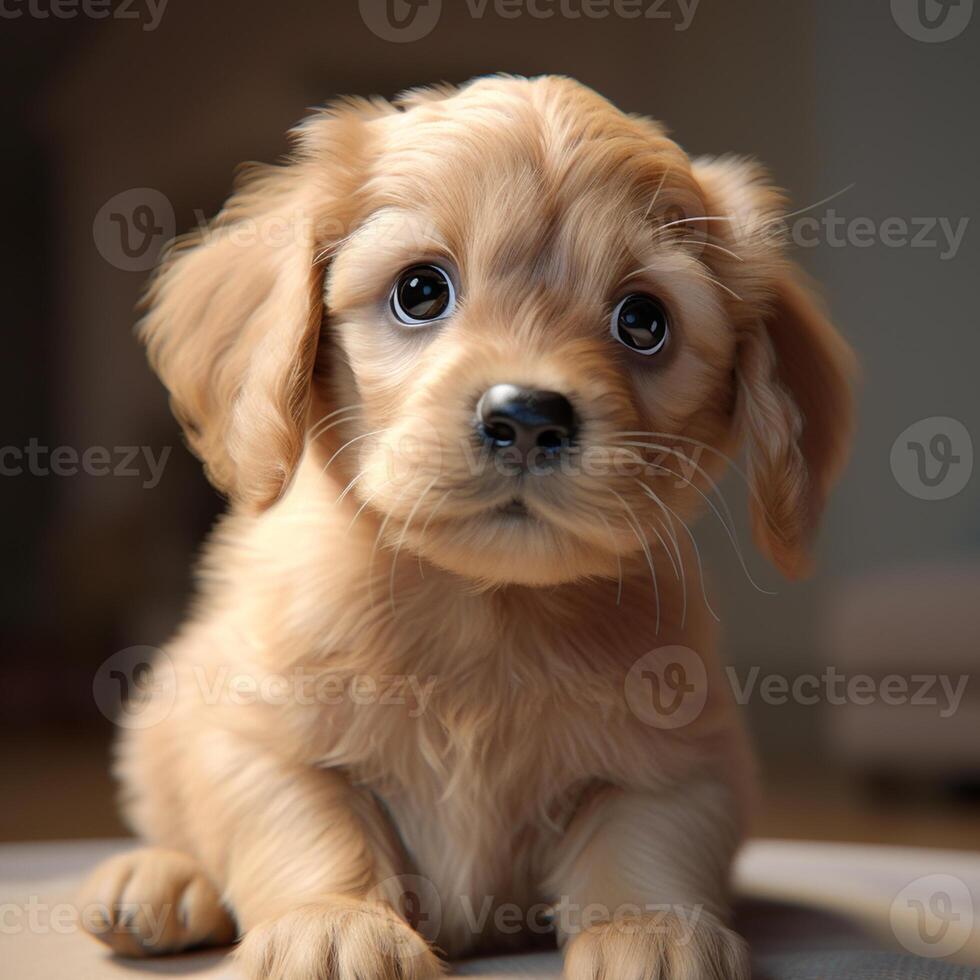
[301, 855]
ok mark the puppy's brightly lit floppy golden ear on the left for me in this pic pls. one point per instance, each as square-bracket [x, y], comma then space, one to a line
[234, 313]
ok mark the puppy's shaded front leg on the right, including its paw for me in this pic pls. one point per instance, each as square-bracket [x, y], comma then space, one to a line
[641, 881]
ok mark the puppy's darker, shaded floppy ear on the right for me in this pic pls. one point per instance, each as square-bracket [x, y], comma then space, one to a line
[793, 370]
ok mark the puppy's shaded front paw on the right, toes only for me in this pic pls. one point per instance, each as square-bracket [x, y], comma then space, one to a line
[686, 944]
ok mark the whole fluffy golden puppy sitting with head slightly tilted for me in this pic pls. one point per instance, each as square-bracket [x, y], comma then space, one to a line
[466, 367]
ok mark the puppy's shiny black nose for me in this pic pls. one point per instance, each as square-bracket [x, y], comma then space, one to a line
[525, 419]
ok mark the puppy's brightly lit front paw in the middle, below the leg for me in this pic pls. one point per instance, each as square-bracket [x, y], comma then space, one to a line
[341, 939]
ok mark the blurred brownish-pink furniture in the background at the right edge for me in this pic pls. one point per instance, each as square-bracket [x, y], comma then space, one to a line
[913, 632]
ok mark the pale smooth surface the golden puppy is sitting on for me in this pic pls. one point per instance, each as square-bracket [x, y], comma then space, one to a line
[810, 912]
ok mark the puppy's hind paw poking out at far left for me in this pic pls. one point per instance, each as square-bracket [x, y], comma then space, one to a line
[153, 901]
